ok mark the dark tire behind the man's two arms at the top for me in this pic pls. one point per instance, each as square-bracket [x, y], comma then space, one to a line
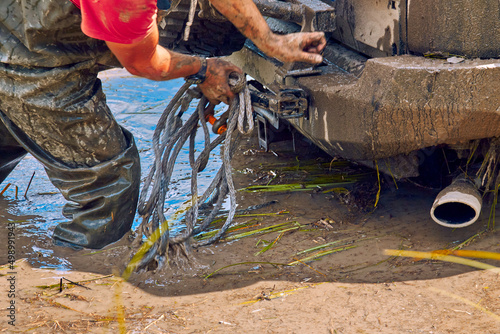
[207, 38]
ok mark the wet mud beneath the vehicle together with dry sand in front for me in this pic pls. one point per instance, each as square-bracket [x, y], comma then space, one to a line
[356, 289]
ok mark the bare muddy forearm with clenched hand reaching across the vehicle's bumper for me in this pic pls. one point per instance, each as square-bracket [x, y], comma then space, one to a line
[289, 48]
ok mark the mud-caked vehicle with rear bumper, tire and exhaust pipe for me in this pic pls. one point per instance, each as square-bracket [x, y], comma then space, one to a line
[411, 88]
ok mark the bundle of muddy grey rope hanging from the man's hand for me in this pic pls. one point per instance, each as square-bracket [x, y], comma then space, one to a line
[169, 138]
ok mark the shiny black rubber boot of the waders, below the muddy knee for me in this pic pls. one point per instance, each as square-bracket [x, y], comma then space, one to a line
[106, 197]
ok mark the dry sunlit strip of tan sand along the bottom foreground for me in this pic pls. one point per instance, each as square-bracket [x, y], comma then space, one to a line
[457, 304]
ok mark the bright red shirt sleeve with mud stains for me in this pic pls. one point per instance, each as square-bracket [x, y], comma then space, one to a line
[117, 21]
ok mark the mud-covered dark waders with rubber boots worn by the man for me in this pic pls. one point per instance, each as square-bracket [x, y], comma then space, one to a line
[52, 106]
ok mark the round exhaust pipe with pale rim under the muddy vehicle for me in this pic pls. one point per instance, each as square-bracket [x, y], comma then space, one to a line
[457, 205]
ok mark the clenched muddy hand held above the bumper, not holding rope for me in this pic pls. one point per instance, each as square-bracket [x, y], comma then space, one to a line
[305, 47]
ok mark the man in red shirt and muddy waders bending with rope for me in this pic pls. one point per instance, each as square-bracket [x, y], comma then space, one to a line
[52, 104]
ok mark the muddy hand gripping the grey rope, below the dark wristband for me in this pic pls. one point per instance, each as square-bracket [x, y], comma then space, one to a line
[216, 85]
